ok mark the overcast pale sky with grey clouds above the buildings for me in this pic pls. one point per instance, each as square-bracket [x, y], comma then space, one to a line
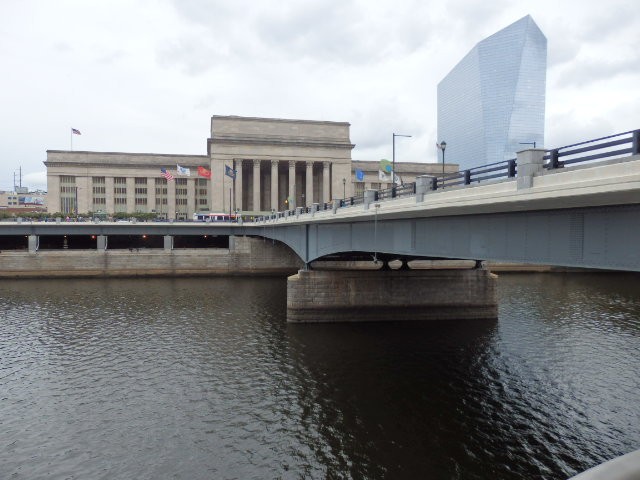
[146, 76]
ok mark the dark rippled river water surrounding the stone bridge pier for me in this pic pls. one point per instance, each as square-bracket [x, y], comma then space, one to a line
[203, 379]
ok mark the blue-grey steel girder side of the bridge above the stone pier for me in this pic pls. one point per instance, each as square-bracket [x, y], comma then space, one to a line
[598, 237]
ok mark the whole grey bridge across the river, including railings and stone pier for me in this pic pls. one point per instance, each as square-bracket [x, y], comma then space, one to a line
[575, 206]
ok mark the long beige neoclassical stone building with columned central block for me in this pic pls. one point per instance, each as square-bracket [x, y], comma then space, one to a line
[255, 164]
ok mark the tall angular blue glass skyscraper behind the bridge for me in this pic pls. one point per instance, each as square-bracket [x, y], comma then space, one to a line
[492, 103]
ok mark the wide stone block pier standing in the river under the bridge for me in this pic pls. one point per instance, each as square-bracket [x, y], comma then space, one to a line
[360, 295]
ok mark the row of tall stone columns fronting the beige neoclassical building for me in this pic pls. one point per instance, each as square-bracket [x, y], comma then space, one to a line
[262, 185]
